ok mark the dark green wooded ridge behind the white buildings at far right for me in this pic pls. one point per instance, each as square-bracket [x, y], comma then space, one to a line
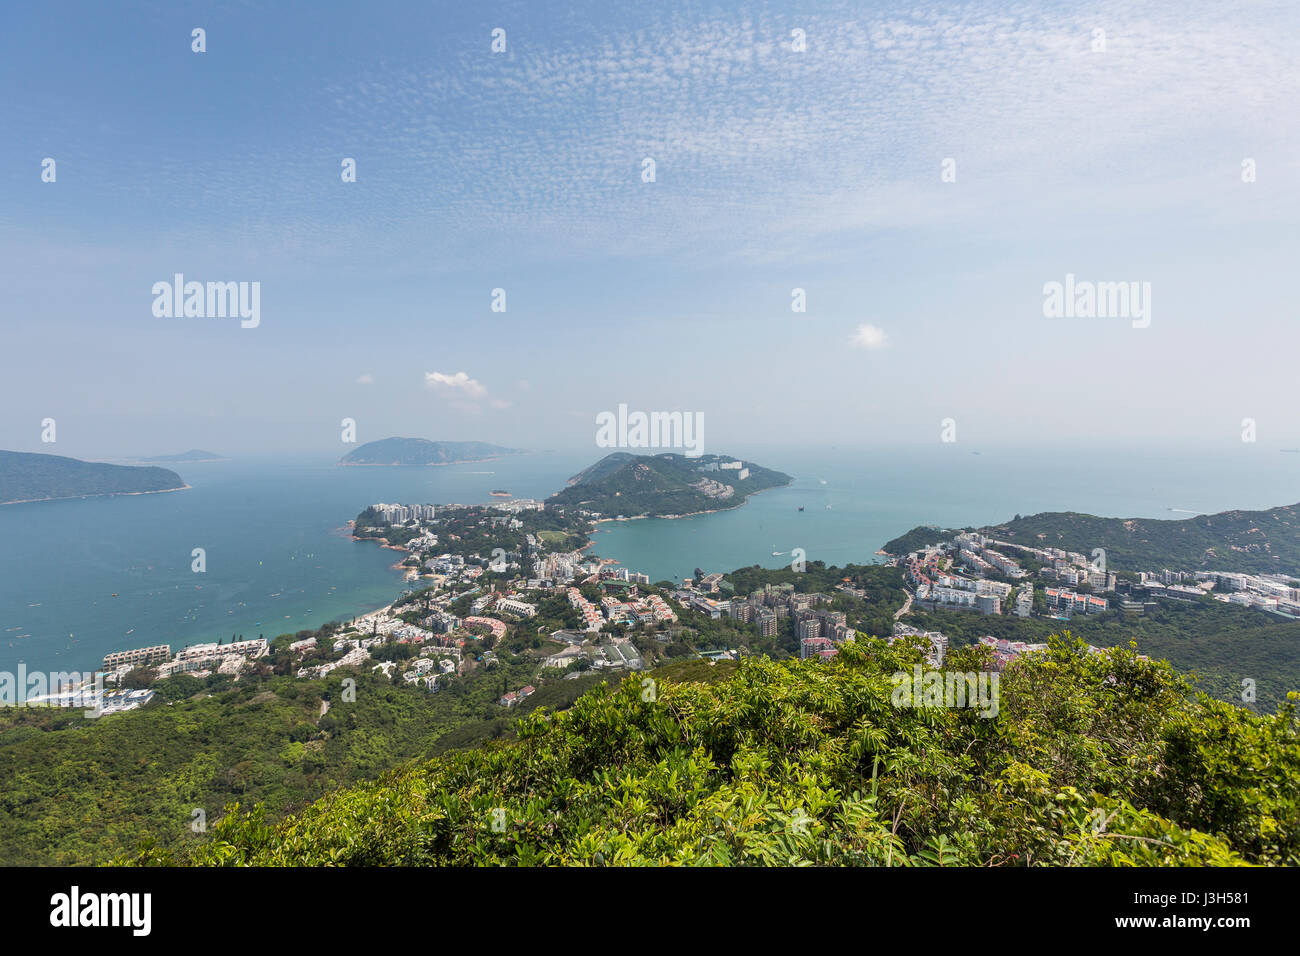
[1253, 542]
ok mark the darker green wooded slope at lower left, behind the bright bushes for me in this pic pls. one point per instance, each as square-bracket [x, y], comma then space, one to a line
[77, 791]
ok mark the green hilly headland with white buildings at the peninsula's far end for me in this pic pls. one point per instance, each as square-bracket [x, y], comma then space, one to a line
[666, 486]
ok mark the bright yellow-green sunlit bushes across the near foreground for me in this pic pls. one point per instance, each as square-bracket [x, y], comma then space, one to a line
[1091, 760]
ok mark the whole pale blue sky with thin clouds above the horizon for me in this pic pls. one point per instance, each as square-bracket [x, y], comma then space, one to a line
[775, 170]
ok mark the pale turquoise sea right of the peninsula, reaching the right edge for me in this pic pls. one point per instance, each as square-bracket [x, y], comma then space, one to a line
[856, 500]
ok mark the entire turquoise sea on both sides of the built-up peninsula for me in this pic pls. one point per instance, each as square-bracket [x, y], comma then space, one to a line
[279, 556]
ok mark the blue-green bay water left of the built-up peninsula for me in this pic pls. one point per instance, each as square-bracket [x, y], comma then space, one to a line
[279, 555]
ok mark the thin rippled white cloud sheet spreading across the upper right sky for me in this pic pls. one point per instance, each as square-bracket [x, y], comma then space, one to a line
[929, 85]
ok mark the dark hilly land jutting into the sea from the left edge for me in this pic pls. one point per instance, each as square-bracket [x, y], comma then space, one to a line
[29, 477]
